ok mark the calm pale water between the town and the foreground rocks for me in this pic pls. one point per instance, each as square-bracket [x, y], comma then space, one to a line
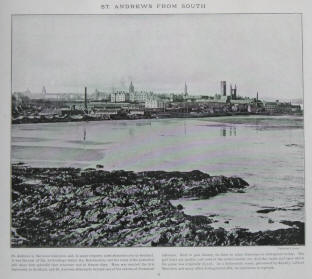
[268, 152]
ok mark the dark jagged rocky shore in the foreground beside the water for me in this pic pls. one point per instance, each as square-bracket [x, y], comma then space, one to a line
[70, 207]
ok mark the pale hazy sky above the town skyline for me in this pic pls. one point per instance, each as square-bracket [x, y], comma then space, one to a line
[64, 53]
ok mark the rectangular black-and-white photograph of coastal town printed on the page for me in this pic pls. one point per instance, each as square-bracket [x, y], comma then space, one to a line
[168, 130]
